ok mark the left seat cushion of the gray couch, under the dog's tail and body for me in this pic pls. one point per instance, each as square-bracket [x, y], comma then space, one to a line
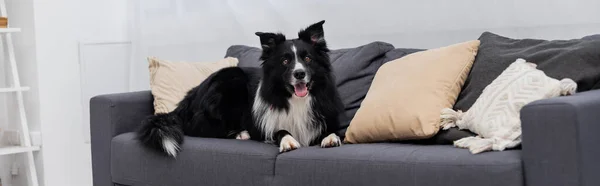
[203, 161]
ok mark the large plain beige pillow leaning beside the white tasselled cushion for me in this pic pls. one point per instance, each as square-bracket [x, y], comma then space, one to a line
[407, 94]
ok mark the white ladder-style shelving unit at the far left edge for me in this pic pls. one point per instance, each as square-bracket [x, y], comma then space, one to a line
[16, 88]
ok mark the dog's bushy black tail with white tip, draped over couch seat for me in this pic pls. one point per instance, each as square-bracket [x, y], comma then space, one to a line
[162, 132]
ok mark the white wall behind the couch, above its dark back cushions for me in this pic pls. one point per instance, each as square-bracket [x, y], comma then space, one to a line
[201, 30]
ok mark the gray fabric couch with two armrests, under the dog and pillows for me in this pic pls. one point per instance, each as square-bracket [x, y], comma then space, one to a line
[559, 149]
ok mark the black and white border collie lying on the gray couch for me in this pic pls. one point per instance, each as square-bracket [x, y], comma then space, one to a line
[292, 100]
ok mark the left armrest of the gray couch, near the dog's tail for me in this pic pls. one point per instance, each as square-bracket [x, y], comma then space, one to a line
[111, 115]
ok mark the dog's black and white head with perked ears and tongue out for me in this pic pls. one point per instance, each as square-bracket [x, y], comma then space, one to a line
[295, 63]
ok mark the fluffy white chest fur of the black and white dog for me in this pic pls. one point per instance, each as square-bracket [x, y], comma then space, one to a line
[297, 120]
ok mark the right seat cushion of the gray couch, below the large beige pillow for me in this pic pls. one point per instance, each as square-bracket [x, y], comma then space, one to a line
[397, 164]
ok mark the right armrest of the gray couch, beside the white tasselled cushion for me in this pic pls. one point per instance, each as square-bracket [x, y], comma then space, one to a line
[560, 140]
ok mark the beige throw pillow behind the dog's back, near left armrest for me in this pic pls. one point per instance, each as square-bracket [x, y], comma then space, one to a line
[170, 81]
